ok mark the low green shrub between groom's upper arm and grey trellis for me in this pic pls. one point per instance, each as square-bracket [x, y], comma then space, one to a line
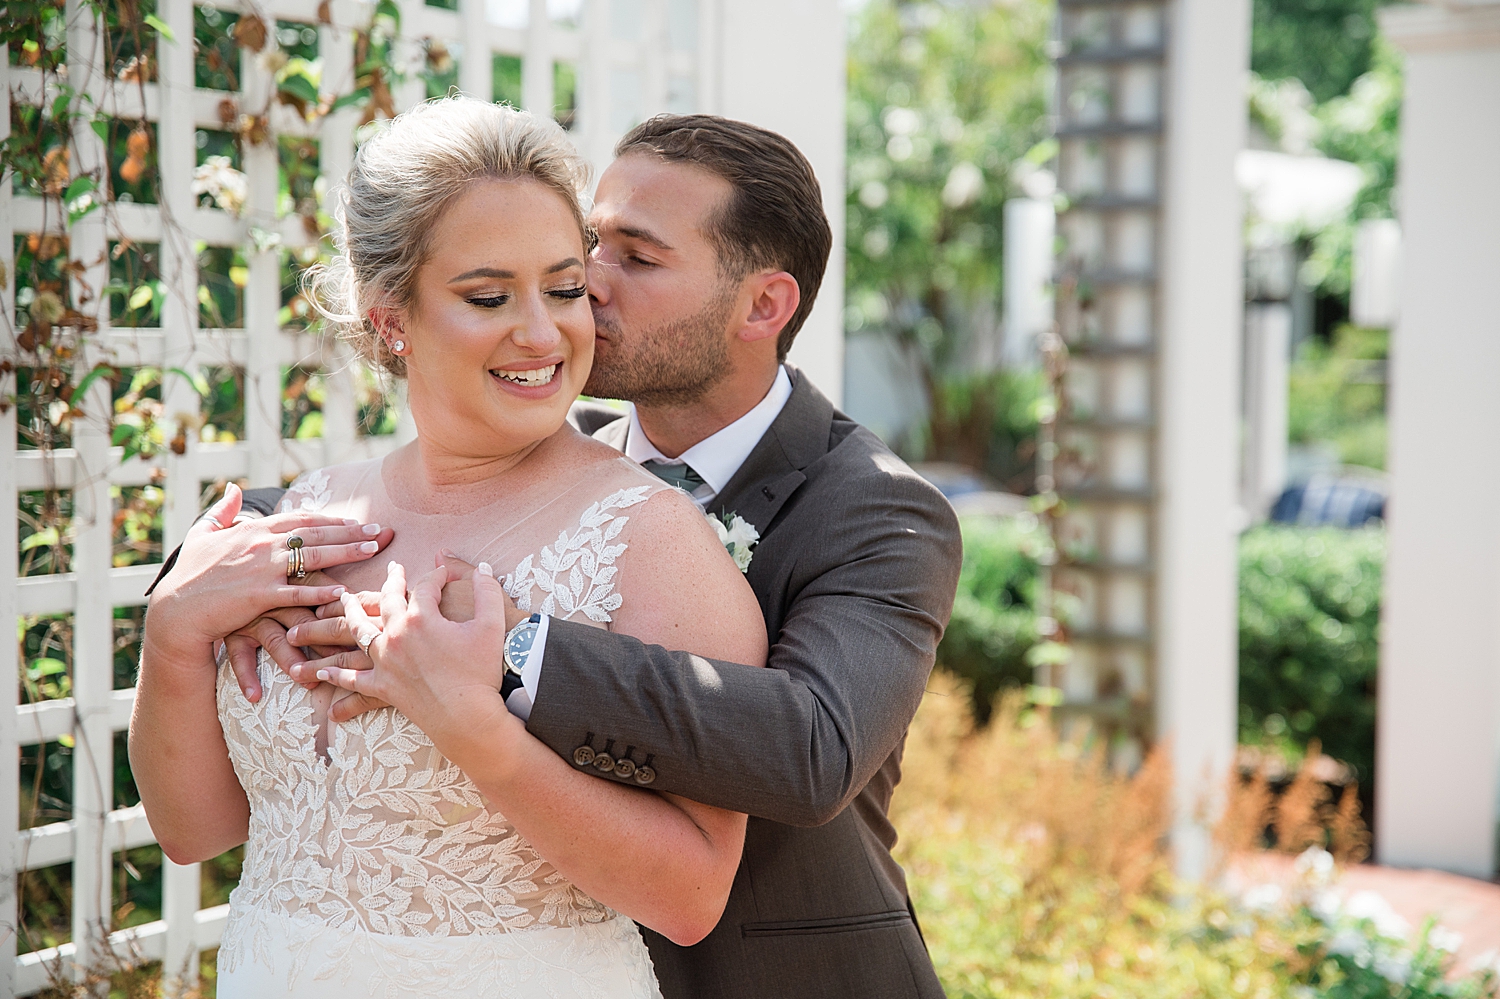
[995, 611]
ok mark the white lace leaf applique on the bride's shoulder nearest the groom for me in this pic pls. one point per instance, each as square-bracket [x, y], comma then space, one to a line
[577, 574]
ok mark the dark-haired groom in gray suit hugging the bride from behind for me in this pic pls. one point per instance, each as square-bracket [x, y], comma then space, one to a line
[712, 247]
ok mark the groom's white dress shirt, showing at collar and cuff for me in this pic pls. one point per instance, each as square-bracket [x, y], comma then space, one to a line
[716, 460]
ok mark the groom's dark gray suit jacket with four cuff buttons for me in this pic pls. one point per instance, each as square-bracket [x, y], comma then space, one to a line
[856, 574]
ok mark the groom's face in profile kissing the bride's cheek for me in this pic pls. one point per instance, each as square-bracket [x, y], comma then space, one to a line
[664, 310]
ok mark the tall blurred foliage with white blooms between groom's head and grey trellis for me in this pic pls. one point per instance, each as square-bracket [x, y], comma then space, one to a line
[944, 101]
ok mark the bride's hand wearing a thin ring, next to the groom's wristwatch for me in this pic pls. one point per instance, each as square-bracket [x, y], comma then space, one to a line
[445, 676]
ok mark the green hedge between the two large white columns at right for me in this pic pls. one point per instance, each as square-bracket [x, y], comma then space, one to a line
[1309, 617]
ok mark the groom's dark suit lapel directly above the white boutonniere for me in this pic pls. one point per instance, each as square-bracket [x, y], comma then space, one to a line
[775, 470]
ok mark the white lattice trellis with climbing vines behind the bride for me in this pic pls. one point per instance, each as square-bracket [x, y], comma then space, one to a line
[632, 58]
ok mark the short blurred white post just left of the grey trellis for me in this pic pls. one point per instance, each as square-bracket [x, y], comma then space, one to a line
[1031, 229]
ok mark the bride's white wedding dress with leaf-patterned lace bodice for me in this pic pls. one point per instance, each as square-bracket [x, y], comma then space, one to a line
[380, 871]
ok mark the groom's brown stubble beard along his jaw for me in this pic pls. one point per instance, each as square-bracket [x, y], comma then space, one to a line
[673, 364]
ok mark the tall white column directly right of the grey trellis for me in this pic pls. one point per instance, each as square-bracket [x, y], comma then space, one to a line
[1198, 454]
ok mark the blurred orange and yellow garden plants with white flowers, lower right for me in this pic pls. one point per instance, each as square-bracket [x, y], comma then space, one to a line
[1037, 872]
